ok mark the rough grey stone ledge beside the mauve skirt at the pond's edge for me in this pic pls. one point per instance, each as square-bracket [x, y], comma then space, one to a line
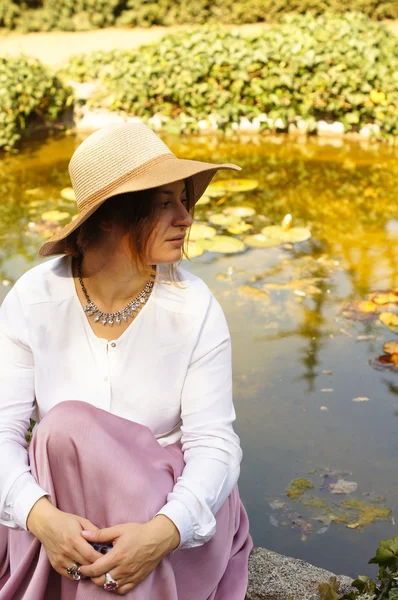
[273, 576]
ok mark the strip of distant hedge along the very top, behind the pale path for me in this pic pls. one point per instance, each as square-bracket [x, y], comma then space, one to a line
[71, 15]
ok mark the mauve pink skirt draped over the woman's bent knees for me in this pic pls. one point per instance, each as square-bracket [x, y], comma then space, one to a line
[112, 470]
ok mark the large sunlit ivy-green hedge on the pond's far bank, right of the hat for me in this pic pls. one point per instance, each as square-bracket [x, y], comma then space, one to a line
[306, 69]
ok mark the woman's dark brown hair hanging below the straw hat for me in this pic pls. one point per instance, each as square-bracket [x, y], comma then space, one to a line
[136, 212]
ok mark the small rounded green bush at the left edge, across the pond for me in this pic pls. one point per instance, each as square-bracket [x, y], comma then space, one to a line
[30, 95]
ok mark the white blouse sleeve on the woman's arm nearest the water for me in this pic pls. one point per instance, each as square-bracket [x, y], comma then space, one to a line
[211, 448]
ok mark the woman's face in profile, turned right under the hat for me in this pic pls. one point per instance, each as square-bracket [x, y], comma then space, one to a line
[172, 222]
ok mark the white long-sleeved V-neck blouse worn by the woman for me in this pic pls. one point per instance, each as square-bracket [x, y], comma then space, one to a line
[170, 370]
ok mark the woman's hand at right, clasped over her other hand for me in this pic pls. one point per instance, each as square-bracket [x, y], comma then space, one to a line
[137, 551]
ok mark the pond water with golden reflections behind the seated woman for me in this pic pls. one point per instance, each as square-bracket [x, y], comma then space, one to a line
[308, 402]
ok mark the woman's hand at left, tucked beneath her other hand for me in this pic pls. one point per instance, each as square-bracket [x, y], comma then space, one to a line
[60, 534]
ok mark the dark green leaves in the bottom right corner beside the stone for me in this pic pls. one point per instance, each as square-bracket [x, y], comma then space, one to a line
[384, 588]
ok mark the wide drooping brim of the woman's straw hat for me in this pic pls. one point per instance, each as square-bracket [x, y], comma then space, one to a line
[171, 170]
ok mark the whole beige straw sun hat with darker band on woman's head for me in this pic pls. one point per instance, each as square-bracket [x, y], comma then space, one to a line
[126, 157]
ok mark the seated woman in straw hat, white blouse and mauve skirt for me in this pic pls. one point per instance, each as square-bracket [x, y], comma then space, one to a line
[124, 359]
